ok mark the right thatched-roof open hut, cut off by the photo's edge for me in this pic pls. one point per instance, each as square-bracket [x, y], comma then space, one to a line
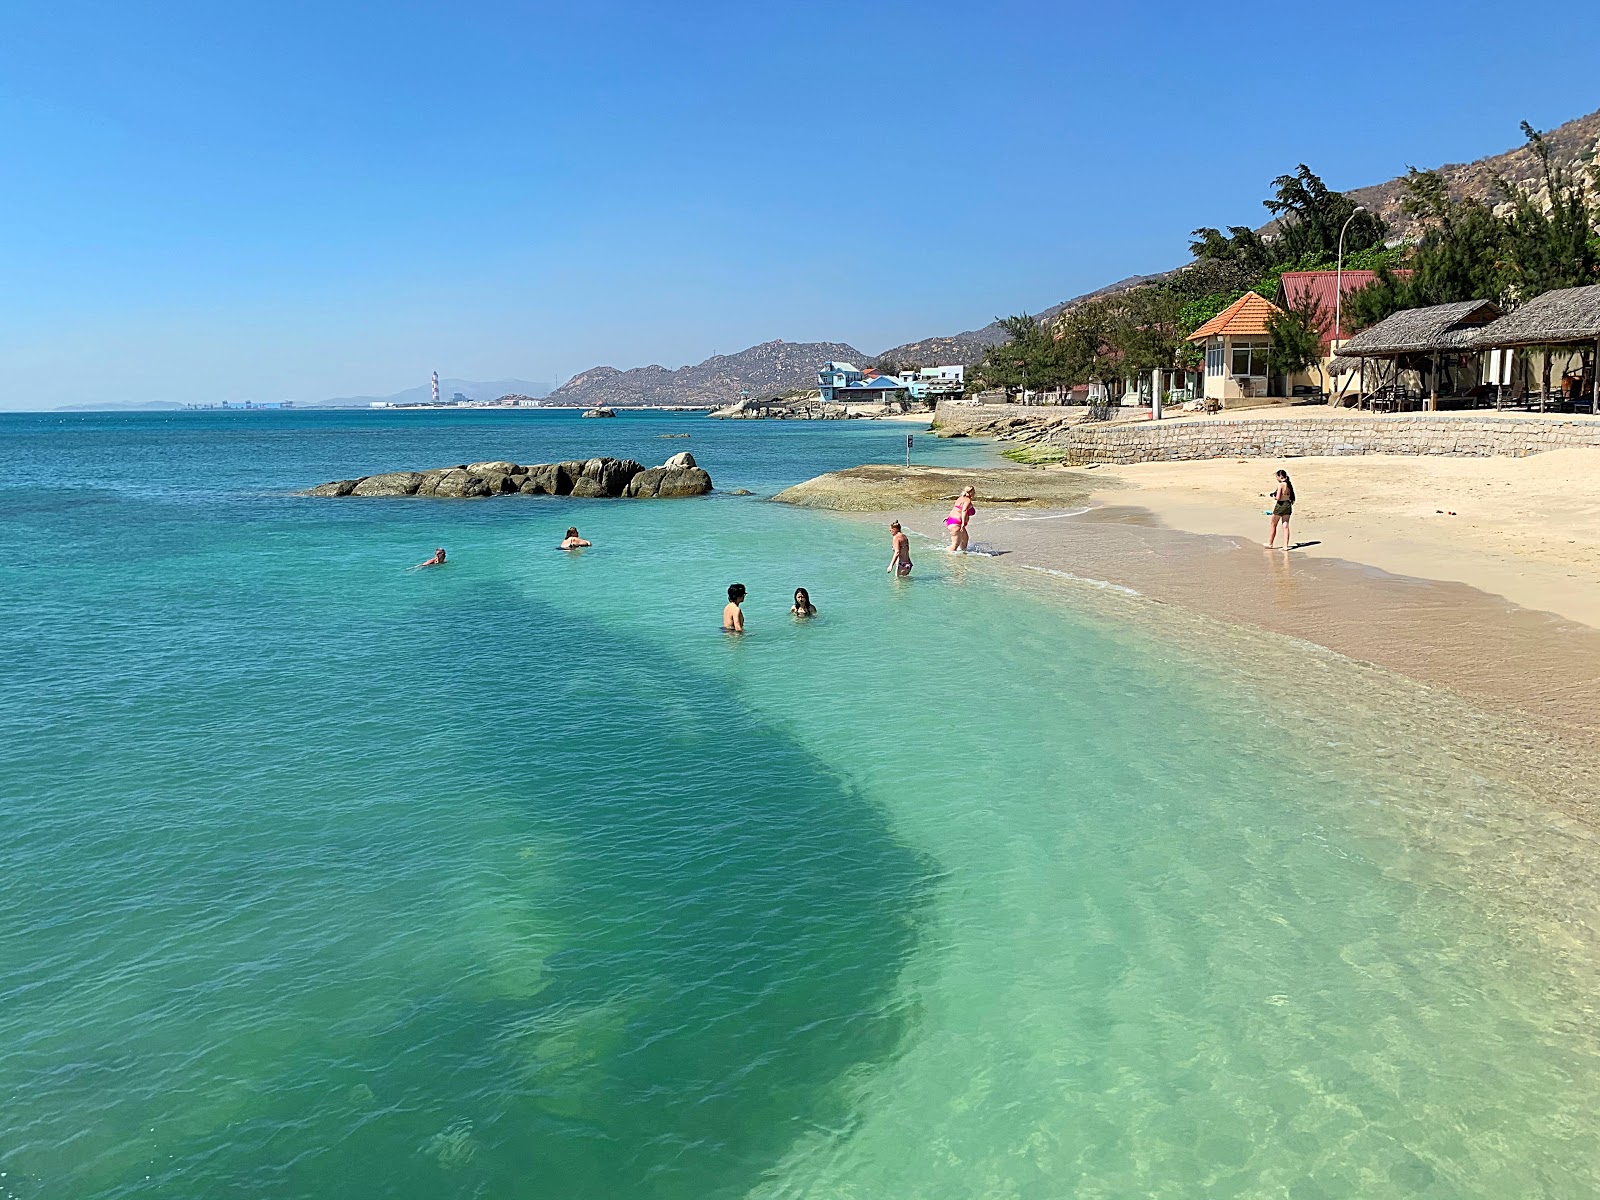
[1562, 324]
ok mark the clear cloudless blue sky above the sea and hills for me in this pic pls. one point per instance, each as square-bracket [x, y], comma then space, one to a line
[300, 201]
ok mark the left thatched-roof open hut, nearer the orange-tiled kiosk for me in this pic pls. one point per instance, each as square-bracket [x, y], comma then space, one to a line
[1438, 345]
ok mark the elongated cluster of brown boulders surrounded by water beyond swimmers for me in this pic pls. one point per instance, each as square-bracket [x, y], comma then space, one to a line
[598, 478]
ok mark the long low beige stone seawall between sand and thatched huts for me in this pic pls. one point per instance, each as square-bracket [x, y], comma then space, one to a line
[1300, 438]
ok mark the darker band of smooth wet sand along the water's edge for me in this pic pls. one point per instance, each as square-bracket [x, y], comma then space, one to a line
[1537, 671]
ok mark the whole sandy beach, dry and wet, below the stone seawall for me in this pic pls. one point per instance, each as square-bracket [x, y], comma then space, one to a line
[1494, 601]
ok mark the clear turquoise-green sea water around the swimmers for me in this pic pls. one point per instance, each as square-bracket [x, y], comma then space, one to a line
[519, 879]
